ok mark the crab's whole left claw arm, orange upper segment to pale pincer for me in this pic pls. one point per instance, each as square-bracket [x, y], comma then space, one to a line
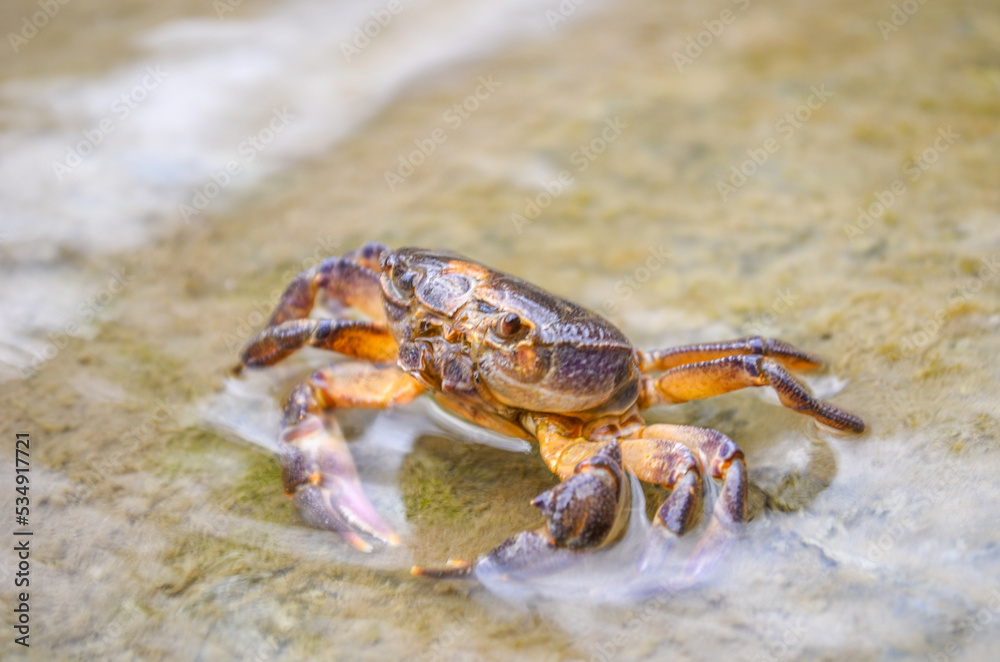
[317, 470]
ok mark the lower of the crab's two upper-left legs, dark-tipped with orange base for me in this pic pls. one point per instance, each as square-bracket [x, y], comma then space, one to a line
[354, 338]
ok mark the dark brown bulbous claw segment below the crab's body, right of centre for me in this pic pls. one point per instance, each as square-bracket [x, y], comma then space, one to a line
[584, 509]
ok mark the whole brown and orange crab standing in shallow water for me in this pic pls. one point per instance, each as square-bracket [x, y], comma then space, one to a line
[506, 355]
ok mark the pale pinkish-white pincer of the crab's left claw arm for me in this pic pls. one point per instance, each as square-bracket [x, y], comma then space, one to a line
[320, 477]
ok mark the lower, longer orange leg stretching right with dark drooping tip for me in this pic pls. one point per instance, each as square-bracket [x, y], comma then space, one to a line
[696, 381]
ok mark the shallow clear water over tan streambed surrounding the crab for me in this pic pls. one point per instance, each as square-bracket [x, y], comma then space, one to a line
[160, 529]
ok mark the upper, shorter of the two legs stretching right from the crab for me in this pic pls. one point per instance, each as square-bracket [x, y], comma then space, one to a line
[784, 353]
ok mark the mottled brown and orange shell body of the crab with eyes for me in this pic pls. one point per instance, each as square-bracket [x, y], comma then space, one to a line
[452, 318]
